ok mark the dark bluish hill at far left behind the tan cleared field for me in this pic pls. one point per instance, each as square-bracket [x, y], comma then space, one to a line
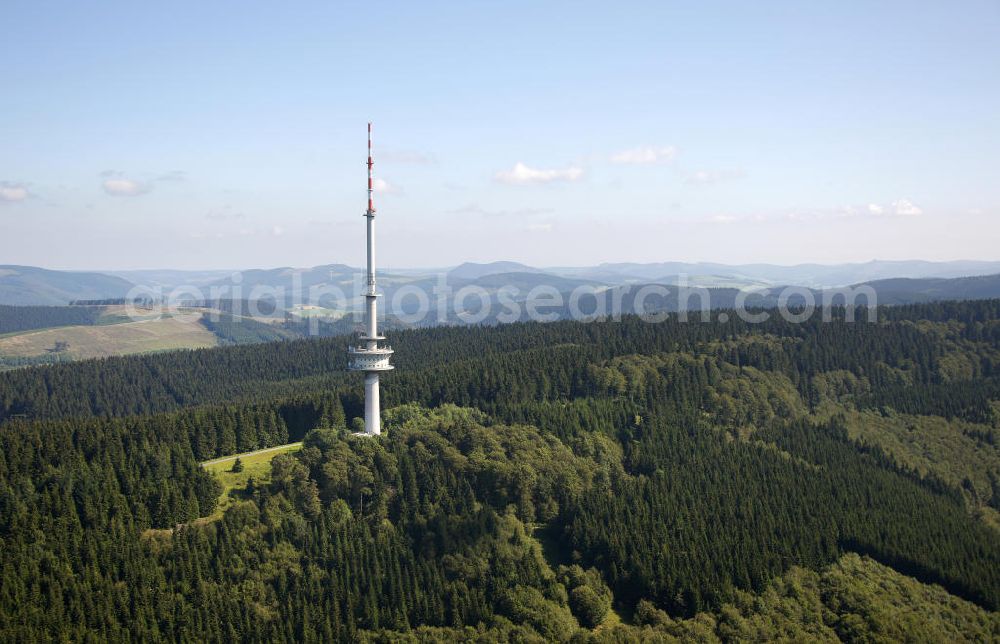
[23, 285]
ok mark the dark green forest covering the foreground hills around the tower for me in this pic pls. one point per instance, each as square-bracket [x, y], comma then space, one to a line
[609, 481]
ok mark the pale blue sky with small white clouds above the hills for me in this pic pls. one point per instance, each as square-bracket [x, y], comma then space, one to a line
[231, 134]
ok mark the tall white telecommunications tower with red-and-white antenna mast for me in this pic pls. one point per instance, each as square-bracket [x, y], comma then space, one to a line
[371, 358]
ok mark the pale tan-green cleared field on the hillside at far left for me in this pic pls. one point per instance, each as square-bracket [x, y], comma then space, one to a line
[143, 336]
